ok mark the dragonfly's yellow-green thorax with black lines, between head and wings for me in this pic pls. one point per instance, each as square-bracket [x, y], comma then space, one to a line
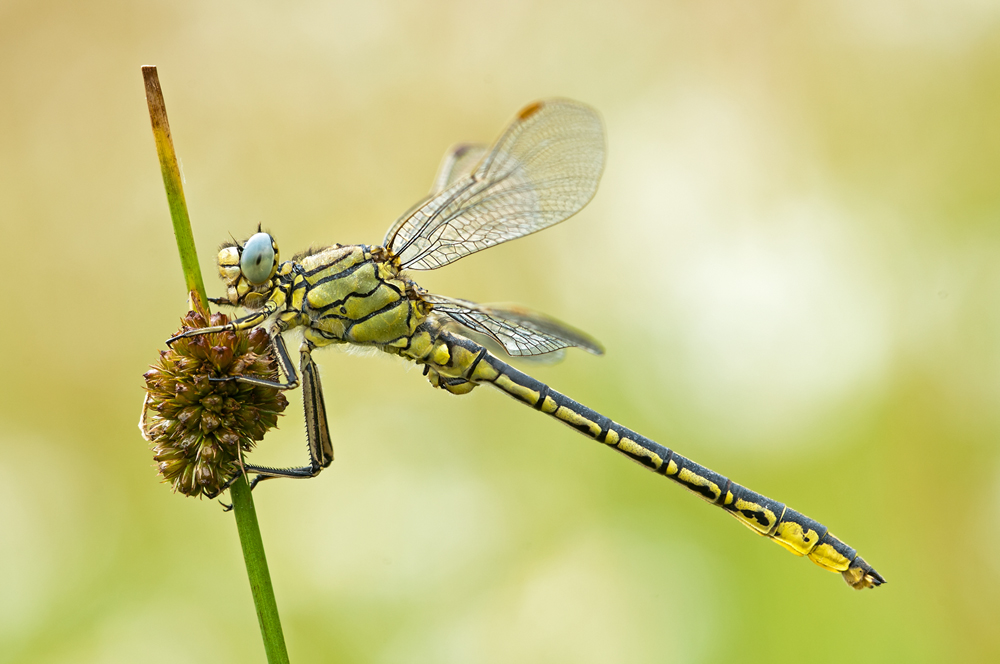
[351, 297]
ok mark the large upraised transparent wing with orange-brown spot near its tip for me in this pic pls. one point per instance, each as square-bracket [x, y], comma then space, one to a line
[542, 169]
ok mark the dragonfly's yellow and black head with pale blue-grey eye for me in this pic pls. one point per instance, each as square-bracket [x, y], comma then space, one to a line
[248, 269]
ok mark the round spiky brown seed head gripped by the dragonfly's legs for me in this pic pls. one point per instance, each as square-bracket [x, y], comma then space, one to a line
[199, 427]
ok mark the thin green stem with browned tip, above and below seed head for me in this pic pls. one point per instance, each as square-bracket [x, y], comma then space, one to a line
[243, 507]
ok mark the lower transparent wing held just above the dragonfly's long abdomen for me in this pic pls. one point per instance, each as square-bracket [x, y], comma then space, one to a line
[520, 331]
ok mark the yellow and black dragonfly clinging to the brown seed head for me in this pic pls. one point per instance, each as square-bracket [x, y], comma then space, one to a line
[544, 167]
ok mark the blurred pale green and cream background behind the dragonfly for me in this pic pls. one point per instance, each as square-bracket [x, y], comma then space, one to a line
[792, 261]
